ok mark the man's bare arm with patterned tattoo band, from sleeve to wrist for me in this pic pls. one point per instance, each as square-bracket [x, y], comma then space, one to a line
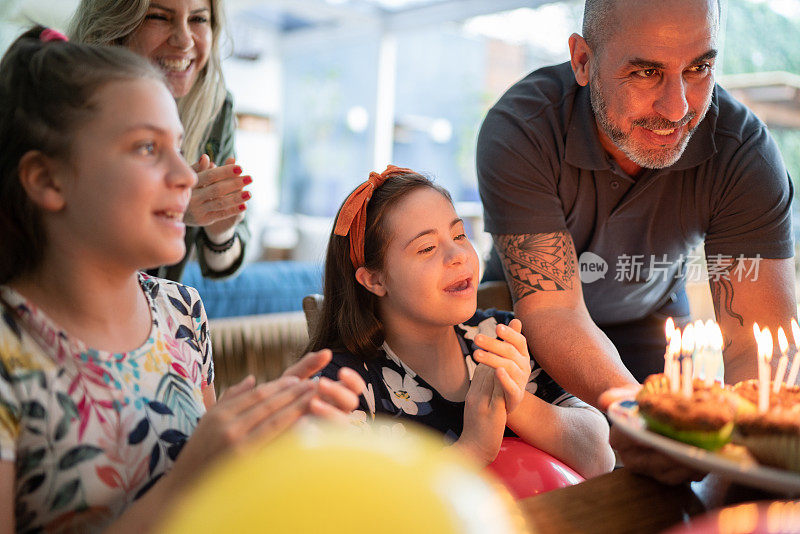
[542, 272]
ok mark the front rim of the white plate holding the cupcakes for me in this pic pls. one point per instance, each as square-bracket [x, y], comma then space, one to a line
[625, 415]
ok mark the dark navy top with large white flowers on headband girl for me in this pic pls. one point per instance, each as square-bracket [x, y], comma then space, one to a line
[394, 389]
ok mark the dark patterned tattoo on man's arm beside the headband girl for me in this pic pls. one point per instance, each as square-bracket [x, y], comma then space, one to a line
[537, 262]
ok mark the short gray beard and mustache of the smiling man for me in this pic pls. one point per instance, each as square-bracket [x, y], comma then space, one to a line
[648, 158]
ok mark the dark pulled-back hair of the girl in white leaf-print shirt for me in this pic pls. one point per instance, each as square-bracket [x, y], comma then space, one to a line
[46, 91]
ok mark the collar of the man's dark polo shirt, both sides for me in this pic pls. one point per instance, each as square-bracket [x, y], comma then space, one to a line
[583, 148]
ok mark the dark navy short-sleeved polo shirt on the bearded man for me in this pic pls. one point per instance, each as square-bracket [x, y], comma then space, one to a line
[542, 169]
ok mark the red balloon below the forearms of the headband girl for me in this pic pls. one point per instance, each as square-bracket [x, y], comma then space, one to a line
[527, 471]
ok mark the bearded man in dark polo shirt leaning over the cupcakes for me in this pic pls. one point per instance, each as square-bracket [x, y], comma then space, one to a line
[601, 175]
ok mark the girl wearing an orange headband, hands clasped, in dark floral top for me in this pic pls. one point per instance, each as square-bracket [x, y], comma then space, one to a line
[400, 309]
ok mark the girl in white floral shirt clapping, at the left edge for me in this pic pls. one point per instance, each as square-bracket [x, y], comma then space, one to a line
[106, 374]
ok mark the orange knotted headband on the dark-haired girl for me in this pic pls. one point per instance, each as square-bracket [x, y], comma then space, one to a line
[352, 218]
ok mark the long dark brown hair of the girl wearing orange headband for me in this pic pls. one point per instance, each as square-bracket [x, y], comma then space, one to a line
[349, 317]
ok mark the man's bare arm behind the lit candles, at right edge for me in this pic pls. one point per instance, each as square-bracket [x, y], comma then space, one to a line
[745, 291]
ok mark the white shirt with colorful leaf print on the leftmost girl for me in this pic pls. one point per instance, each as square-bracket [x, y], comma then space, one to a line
[90, 431]
